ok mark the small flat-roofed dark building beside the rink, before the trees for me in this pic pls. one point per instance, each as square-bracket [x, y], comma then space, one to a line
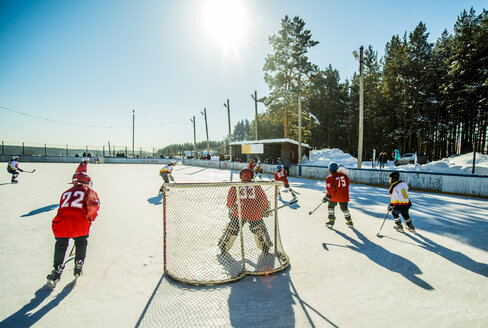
[270, 151]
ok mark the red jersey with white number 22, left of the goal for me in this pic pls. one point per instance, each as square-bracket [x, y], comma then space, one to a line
[78, 207]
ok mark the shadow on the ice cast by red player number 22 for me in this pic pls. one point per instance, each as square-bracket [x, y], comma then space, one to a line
[24, 317]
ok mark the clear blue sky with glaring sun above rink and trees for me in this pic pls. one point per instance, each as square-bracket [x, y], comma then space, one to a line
[73, 72]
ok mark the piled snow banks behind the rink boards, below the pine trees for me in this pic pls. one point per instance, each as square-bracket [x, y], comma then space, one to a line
[461, 164]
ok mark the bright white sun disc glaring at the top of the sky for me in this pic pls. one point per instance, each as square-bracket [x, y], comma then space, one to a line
[225, 22]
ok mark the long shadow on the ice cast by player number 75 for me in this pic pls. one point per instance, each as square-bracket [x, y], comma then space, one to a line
[386, 259]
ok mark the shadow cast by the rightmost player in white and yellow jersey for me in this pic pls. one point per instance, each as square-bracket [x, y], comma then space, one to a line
[455, 257]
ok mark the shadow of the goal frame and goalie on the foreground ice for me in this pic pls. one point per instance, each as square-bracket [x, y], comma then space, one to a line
[253, 301]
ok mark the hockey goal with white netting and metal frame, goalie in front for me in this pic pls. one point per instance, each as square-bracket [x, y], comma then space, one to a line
[219, 232]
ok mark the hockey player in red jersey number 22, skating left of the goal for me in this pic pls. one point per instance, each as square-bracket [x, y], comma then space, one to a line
[78, 207]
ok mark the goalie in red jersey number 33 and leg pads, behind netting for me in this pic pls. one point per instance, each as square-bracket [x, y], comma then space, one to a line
[254, 204]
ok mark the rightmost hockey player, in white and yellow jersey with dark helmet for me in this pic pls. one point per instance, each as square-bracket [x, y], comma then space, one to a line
[399, 202]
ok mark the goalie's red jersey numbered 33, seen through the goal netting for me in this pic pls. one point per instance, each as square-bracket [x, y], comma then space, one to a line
[253, 202]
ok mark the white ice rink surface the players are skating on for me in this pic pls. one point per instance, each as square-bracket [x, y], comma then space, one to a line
[337, 278]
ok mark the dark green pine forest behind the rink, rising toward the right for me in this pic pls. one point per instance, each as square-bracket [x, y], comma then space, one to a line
[420, 96]
